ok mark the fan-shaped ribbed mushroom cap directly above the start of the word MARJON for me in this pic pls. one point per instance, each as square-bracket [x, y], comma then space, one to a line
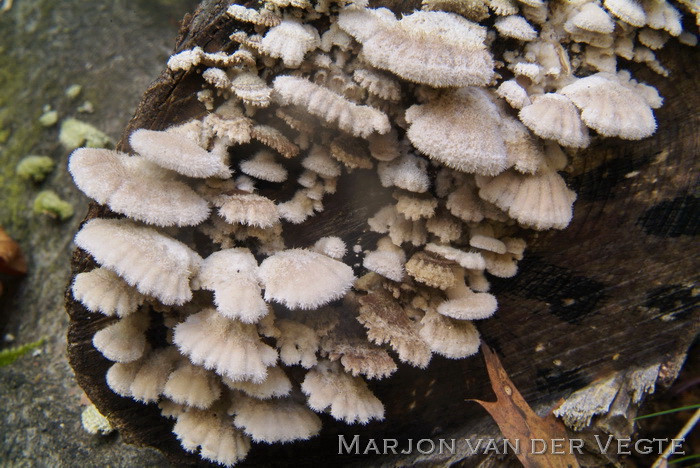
[348, 397]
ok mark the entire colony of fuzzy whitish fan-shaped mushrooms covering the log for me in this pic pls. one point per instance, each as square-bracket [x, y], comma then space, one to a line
[468, 142]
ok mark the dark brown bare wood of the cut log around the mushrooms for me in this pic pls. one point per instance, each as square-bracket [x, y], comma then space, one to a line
[614, 291]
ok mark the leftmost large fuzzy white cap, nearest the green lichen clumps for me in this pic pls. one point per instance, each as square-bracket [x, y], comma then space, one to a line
[137, 188]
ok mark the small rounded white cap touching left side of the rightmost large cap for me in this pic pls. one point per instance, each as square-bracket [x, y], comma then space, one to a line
[554, 117]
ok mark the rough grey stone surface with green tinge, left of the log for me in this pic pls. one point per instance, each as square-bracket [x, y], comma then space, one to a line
[113, 49]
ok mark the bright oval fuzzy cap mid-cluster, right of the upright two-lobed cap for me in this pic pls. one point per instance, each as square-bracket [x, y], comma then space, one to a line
[302, 279]
